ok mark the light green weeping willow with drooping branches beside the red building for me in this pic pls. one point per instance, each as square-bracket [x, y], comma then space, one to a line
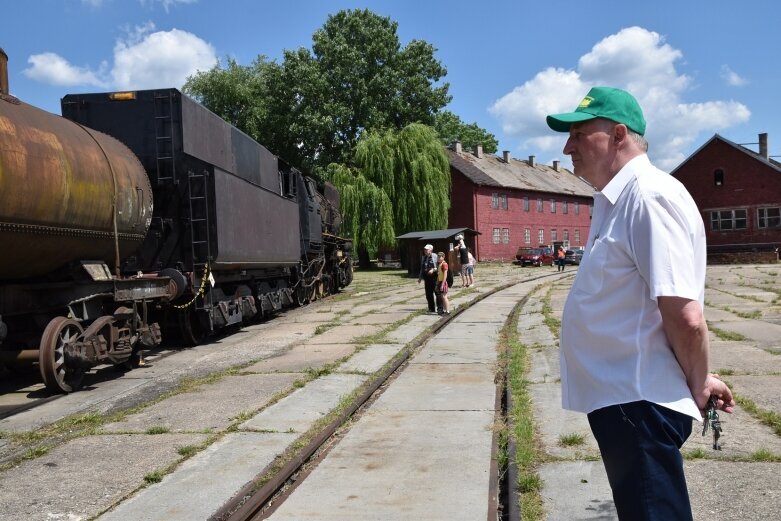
[408, 167]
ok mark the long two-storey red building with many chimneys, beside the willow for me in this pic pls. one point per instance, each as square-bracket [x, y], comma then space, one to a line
[516, 203]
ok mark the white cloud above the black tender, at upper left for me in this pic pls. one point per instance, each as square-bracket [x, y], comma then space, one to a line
[144, 59]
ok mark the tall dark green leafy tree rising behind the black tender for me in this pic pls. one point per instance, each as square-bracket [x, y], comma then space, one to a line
[313, 107]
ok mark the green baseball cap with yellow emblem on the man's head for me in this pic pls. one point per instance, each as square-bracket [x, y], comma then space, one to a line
[603, 102]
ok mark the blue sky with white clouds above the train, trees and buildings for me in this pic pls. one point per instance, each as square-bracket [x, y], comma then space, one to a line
[698, 67]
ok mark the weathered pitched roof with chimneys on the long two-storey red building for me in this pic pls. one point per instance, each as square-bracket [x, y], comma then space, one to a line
[491, 170]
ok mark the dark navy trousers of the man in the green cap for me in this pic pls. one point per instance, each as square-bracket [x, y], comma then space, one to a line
[640, 443]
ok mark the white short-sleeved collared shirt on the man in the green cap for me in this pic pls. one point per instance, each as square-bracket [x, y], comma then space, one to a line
[647, 240]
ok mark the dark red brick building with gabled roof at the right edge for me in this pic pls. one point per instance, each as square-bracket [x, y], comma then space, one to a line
[738, 192]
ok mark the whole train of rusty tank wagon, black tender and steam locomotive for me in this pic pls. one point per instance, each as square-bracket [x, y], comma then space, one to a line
[140, 216]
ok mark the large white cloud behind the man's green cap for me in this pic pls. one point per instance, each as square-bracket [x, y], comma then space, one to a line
[634, 59]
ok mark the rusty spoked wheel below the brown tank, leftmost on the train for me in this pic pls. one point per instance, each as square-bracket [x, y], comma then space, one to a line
[57, 376]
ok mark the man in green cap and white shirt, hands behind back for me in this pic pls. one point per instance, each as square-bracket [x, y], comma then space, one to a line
[634, 342]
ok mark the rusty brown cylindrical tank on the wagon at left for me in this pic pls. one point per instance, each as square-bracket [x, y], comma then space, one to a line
[67, 193]
